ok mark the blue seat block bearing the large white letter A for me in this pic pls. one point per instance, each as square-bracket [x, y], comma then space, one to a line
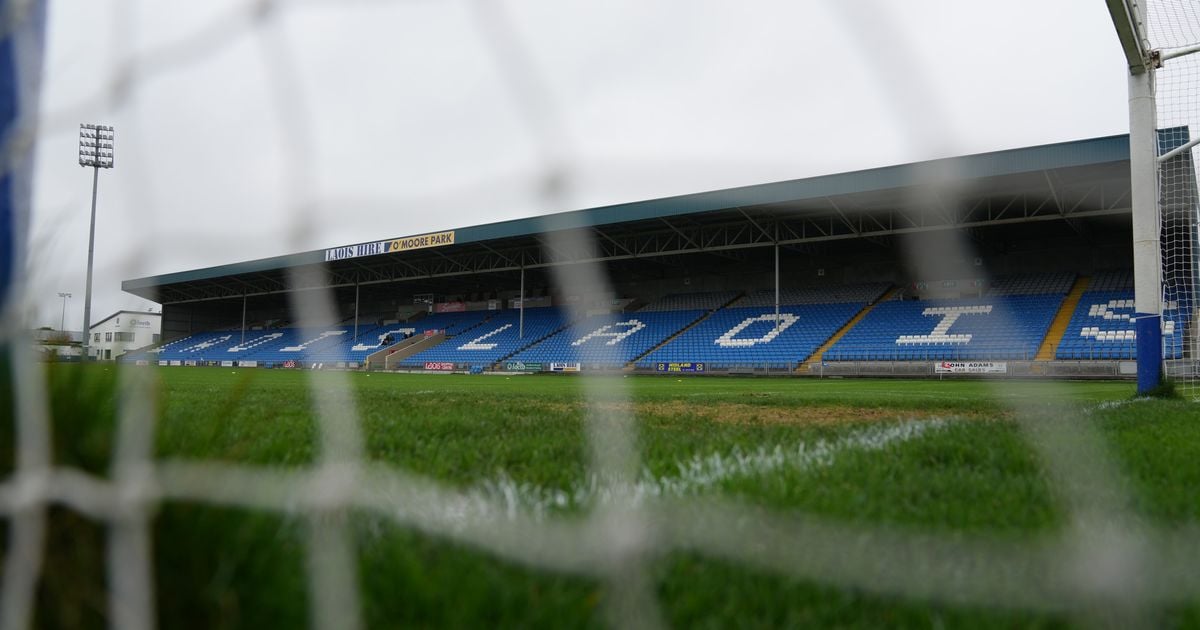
[610, 340]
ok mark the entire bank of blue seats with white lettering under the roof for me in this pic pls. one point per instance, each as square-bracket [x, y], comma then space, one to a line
[1009, 325]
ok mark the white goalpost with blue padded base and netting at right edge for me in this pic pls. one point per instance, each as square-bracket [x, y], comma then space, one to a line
[1160, 39]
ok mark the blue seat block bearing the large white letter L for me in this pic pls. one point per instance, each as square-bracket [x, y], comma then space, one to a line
[496, 340]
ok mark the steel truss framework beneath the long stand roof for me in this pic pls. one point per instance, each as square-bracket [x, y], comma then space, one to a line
[721, 233]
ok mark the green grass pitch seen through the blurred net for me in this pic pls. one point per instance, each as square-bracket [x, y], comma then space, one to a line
[232, 568]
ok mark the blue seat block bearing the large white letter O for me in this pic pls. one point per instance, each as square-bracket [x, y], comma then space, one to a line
[749, 337]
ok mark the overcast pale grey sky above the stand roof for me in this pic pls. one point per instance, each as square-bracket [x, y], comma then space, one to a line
[389, 119]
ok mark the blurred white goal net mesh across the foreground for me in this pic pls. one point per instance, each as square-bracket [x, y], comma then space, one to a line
[1105, 566]
